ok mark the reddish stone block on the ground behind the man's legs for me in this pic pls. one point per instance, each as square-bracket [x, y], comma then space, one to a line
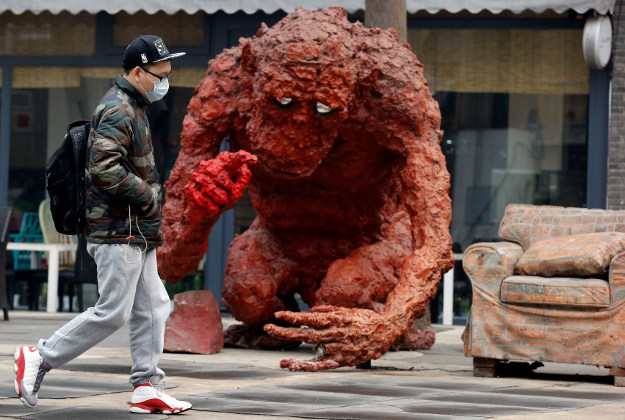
[195, 324]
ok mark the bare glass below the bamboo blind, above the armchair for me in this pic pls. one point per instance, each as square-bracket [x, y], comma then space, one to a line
[511, 148]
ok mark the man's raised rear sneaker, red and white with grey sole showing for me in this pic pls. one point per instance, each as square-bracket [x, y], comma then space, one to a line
[29, 370]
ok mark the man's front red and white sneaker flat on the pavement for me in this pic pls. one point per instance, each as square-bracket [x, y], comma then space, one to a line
[150, 398]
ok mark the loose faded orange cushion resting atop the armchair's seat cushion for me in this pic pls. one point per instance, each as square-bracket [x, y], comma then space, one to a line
[587, 254]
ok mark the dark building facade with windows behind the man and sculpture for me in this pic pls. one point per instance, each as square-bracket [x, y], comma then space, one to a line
[525, 118]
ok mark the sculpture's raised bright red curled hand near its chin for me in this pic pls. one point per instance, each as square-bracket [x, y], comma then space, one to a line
[217, 184]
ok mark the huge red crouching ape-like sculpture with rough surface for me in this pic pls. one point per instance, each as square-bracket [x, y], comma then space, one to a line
[350, 185]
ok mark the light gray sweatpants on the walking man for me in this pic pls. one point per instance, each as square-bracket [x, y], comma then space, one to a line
[129, 292]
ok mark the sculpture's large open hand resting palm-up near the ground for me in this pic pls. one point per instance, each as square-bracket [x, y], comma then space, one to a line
[344, 336]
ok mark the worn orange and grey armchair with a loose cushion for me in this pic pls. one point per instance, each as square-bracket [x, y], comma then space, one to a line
[553, 290]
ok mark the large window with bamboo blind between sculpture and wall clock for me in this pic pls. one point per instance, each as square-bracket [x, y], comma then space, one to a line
[514, 107]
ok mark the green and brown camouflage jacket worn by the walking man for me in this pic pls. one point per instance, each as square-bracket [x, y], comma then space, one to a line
[121, 174]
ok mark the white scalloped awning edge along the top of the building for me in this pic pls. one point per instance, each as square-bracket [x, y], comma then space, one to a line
[271, 6]
